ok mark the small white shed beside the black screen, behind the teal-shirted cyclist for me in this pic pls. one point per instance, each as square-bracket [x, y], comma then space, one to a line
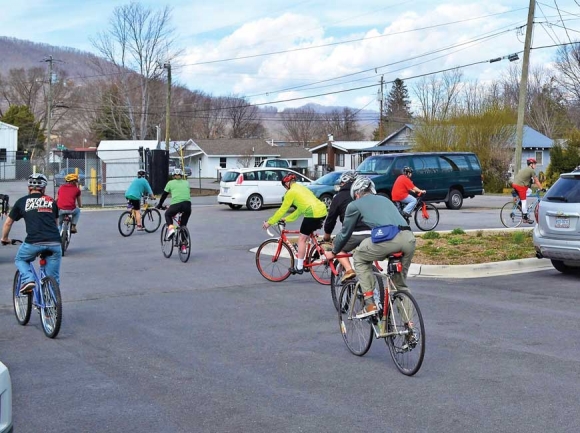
[122, 161]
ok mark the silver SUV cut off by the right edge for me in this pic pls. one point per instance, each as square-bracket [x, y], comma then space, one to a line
[557, 233]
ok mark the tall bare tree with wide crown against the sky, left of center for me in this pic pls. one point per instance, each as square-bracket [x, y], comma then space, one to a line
[136, 41]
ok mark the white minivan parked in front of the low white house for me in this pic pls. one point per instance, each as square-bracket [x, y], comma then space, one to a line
[255, 187]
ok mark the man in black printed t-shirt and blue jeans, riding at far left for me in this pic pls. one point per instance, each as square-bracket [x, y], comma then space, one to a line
[40, 214]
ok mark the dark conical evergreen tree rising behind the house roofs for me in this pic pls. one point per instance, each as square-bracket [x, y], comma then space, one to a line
[396, 110]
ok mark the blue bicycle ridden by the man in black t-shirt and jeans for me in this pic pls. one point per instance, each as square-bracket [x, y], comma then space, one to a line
[45, 297]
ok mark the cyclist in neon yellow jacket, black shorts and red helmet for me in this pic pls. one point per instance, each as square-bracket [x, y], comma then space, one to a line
[306, 204]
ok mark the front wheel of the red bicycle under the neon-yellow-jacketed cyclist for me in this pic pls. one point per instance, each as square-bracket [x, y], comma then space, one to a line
[273, 260]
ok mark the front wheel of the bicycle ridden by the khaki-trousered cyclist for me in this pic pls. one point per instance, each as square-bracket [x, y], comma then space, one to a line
[356, 333]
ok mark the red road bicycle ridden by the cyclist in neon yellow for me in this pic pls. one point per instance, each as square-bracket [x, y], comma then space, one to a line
[275, 256]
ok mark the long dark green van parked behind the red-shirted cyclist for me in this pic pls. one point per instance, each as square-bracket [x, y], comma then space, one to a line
[446, 176]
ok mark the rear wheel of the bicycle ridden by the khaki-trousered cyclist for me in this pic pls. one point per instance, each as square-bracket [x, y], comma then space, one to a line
[405, 323]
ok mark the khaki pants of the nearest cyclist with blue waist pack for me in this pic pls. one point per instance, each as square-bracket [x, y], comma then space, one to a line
[367, 253]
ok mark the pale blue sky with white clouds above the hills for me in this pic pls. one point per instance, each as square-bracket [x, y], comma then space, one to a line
[322, 47]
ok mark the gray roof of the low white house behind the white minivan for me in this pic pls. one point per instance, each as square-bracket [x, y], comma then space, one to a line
[234, 147]
